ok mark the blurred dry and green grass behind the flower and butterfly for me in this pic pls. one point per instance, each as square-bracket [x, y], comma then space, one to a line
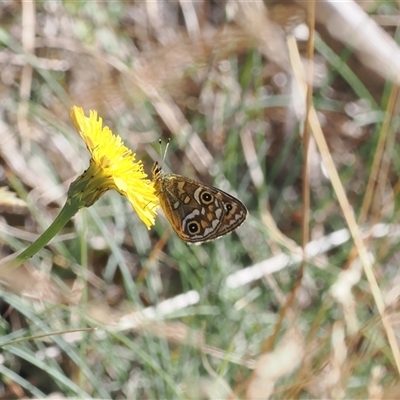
[241, 317]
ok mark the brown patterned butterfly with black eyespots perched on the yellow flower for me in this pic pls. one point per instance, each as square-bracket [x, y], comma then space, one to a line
[197, 212]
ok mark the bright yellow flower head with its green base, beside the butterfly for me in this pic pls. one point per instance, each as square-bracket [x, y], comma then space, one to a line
[112, 166]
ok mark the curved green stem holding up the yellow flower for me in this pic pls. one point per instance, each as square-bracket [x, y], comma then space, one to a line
[70, 208]
